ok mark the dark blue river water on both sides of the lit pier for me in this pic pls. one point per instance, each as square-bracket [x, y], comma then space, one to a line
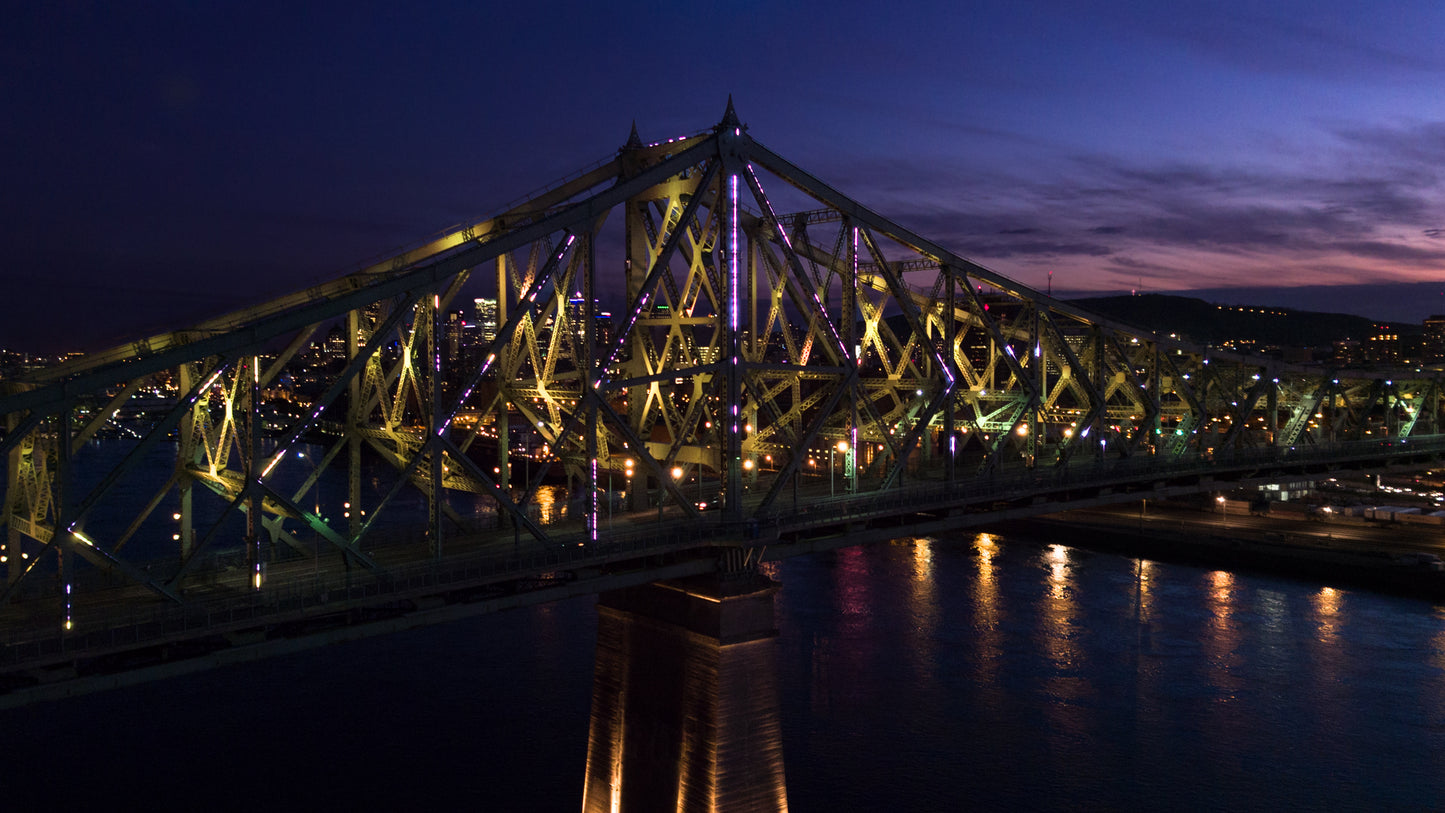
[972, 672]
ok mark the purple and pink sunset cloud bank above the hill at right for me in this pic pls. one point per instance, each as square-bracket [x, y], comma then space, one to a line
[1342, 206]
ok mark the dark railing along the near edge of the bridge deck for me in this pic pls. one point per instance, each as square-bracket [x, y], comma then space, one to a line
[495, 562]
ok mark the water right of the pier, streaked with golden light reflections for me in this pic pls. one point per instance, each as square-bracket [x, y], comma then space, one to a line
[1064, 679]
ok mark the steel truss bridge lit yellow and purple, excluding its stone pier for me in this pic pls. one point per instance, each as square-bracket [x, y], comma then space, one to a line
[785, 368]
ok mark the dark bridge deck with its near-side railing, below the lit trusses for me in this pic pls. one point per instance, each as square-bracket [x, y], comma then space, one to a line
[128, 635]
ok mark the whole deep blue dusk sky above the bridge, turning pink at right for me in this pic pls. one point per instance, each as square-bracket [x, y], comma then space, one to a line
[168, 162]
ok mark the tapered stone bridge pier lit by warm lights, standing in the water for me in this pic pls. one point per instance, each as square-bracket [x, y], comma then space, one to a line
[686, 700]
